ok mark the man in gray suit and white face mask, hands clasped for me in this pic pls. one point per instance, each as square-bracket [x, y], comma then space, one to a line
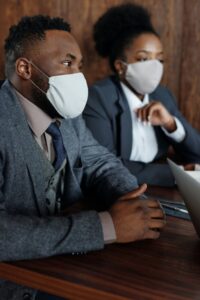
[49, 160]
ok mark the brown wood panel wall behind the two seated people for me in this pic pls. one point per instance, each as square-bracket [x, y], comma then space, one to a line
[177, 22]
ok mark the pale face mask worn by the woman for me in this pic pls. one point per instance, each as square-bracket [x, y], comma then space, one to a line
[144, 77]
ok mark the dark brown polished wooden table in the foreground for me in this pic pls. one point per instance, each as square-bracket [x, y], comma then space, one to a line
[168, 268]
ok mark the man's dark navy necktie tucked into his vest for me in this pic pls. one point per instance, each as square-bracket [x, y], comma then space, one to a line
[60, 153]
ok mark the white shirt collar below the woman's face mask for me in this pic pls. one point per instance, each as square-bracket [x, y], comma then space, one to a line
[133, 99]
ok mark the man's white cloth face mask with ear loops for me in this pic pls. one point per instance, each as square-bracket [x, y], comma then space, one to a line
[67, 93]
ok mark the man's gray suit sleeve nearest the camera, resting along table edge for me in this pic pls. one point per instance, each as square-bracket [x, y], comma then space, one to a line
[28, 236]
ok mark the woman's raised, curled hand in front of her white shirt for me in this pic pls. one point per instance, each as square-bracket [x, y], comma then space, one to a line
[157, 115]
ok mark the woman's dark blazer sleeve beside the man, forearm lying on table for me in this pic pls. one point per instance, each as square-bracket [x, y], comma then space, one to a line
[98, 119]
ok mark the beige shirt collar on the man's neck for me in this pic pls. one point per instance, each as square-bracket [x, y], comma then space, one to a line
[37, 119]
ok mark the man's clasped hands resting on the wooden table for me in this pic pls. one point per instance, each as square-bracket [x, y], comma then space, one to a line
[137, 219]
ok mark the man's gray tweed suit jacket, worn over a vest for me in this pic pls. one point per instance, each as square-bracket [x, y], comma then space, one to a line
[26, 229]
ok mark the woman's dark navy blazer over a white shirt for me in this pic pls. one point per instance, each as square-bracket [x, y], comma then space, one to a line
[107, 115]
